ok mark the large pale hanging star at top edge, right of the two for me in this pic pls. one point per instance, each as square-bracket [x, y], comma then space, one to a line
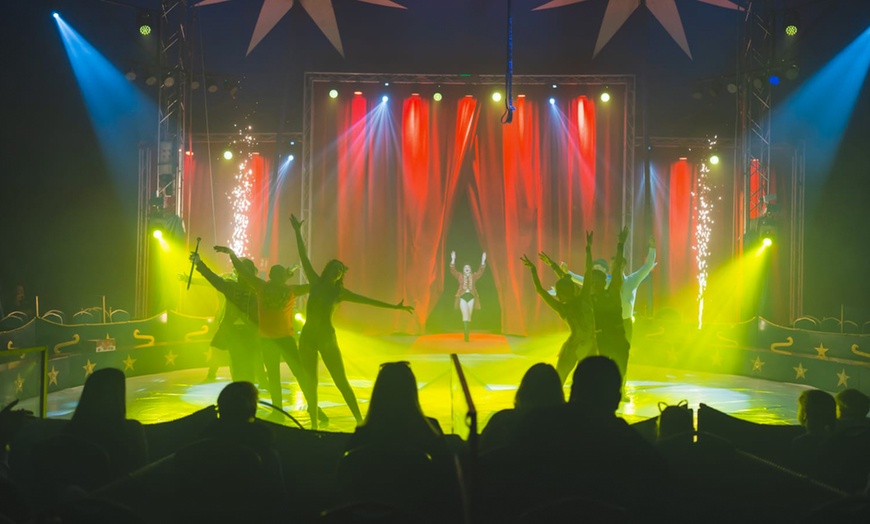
[618, 12]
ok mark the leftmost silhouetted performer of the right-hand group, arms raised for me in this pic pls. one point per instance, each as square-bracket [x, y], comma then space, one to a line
[574, 305]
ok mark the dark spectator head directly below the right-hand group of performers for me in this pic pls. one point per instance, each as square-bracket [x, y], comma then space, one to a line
[597, 385]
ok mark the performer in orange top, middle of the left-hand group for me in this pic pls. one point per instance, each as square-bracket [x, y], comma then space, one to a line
[275, 306]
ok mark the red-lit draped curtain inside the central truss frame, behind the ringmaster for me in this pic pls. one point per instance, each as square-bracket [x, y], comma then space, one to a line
[387, 165]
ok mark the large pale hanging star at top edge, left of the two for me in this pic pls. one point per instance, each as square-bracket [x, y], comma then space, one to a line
[320, 11]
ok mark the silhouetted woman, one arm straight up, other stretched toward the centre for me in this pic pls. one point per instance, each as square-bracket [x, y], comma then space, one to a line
[318, 335]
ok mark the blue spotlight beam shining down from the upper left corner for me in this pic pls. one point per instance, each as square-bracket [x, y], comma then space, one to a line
[120, 114]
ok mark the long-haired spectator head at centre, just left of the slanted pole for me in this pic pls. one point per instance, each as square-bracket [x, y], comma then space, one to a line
[395, 401]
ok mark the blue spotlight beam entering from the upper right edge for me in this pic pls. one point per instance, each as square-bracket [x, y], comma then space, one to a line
[819, 111]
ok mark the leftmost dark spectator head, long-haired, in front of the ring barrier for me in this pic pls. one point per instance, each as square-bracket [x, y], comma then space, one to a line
[103, 400]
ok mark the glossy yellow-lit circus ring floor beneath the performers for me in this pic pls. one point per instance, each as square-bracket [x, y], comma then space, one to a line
[493, 365]
